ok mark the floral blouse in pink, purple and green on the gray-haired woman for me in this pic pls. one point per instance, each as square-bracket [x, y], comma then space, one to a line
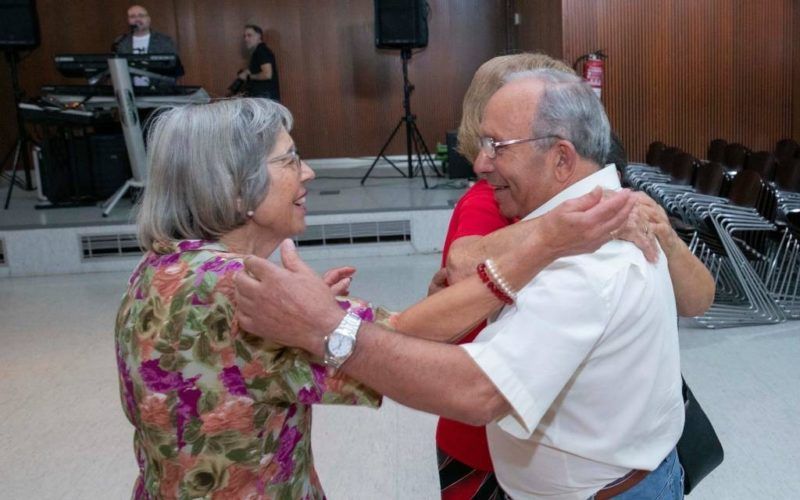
[219, 413]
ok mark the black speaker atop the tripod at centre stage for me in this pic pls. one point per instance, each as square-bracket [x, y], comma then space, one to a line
[401, 24]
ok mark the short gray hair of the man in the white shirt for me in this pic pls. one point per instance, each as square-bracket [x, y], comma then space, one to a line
[569, 109]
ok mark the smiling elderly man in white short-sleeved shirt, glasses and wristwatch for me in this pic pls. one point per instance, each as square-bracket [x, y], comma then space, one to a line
[579, 378]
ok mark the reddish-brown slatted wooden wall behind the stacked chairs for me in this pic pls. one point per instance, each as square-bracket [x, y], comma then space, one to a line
[688, 71]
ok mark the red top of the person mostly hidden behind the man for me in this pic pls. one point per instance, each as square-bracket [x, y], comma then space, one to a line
[476, 214]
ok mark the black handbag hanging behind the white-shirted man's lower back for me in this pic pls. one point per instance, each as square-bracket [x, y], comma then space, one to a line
[699, 449]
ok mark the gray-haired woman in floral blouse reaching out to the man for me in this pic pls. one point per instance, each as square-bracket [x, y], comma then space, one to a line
[219, 412]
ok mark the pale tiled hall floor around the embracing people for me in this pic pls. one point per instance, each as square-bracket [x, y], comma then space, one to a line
[63, 435]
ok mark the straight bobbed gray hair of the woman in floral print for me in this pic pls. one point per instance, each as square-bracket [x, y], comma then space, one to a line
[207, 168]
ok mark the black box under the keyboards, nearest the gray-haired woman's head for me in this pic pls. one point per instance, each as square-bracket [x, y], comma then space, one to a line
[110, 165]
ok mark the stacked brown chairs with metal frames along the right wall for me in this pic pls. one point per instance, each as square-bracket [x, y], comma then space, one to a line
[734, 210]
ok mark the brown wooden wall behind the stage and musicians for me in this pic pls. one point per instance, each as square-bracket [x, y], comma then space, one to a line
[345, 94]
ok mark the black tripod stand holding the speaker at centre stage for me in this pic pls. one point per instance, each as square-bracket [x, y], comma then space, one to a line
[415, 144]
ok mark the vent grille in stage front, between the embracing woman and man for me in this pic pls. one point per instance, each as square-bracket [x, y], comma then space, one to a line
[355, 233]
